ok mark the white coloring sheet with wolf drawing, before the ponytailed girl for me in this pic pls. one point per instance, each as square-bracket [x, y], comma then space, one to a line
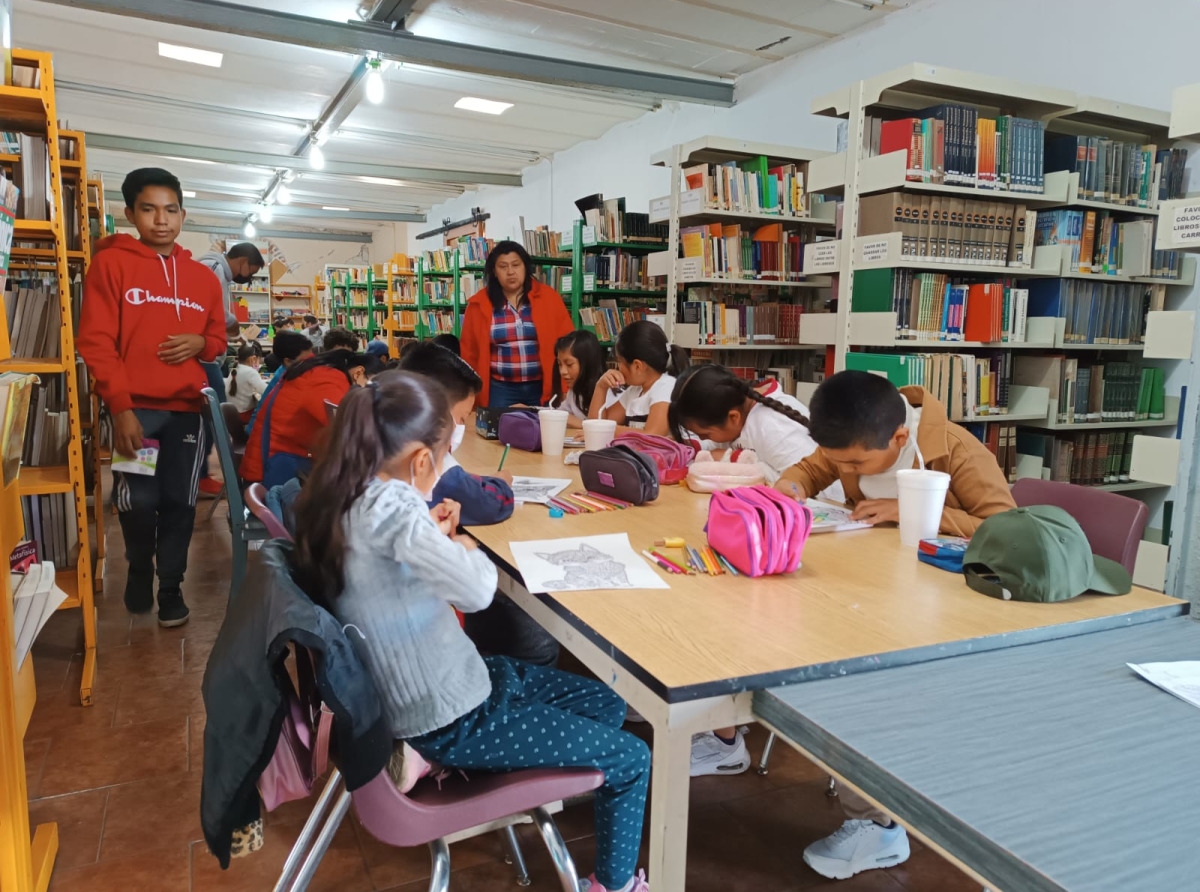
[584, 564]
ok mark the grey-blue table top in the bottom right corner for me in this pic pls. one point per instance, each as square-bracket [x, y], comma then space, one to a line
[1047, 769]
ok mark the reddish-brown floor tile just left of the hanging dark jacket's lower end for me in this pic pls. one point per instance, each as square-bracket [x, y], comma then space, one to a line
[170, 806]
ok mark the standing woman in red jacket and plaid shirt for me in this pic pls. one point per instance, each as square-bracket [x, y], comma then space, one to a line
[509, 331]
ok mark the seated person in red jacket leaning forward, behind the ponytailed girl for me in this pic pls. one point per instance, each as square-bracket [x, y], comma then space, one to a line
[293, 416]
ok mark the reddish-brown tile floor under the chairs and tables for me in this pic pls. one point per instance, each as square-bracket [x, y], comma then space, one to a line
[123, 782]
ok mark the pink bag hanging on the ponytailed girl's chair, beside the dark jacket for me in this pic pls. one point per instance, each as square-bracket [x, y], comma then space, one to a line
[302, 753]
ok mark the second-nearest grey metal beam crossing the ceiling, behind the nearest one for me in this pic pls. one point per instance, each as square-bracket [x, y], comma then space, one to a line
[259, 159]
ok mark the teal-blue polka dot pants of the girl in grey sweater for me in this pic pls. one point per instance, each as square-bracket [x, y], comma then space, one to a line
[539, 719]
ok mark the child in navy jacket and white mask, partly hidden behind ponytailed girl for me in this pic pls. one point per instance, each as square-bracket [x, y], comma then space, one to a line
[502, 630]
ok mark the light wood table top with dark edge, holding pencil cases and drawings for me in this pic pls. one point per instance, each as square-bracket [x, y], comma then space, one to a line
[860, 602]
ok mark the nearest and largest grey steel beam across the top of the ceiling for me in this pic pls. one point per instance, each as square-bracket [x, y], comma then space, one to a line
[361, 39]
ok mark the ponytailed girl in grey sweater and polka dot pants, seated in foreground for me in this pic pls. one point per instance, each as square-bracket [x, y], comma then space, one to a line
[370, 549]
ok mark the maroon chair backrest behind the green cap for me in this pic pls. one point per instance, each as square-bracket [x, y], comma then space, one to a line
[1113, 523]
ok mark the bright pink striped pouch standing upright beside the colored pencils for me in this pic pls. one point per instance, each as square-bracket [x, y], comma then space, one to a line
[758, 530]
